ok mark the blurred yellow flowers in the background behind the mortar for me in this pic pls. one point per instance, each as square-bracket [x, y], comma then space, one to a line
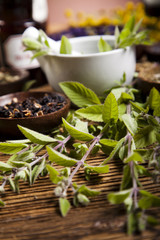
[119, 16]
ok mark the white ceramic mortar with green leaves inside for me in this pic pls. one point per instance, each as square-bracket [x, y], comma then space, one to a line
[98, 71]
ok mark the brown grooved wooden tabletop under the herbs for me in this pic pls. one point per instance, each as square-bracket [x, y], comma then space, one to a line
[33, 214]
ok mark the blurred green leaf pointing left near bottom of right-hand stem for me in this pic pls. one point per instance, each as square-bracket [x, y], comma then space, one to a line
[119, 197]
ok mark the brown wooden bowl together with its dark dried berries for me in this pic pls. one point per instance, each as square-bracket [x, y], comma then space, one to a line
[38, 111]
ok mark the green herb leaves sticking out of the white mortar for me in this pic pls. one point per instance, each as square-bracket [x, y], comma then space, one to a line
[129, 36]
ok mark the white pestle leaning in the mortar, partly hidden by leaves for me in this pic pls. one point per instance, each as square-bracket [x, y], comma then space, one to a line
[33, 33]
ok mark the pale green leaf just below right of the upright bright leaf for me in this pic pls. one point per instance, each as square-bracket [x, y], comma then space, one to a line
[130, 123]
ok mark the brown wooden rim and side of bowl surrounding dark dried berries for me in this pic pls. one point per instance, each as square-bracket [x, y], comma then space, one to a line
[43, 124]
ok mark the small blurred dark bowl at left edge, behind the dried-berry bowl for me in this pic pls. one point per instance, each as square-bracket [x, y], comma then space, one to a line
[13, 86]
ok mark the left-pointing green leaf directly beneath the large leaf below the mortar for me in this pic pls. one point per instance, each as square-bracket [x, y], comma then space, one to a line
[92, 113]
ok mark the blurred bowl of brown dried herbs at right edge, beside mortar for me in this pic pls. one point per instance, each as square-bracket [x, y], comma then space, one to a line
[148, 76]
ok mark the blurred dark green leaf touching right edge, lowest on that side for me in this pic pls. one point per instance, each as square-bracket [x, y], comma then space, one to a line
[148, 200]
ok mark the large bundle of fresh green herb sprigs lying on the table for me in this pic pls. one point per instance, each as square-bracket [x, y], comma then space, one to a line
[125, 129]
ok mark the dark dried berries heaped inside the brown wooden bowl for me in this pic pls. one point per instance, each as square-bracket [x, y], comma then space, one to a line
[32, 107]
